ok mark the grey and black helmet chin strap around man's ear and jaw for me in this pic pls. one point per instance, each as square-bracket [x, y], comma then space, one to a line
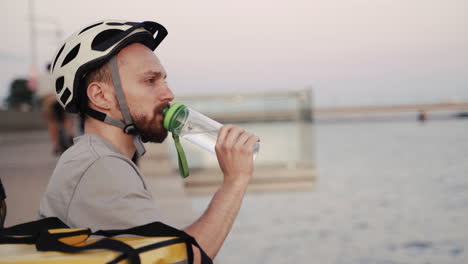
[127, 126]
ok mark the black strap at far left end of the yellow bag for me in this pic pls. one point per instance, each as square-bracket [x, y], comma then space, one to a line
[27, 233]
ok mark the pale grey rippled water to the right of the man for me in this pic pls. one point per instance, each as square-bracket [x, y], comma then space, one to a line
[387, 192]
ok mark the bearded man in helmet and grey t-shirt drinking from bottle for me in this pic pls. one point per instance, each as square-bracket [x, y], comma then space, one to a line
[109, 72]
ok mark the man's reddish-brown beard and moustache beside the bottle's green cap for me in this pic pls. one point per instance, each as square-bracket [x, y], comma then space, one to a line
[151, 130]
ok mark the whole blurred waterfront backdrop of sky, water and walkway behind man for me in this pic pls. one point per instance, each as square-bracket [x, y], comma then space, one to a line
[361, 105]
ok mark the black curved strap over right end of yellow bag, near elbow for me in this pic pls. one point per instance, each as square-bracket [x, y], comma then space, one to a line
[158, 229]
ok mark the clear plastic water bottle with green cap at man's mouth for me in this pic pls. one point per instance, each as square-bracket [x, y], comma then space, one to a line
[194, 127]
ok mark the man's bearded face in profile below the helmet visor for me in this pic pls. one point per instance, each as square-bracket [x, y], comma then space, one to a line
[146, 92]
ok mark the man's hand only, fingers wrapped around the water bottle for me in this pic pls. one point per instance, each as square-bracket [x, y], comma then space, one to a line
[234, 149]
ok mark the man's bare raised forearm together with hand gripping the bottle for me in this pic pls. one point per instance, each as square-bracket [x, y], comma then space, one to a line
[234, 149]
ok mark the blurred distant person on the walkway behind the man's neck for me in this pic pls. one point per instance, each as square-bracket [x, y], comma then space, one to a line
[59, 123]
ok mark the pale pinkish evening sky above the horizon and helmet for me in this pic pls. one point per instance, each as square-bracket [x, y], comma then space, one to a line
[350, 52]
